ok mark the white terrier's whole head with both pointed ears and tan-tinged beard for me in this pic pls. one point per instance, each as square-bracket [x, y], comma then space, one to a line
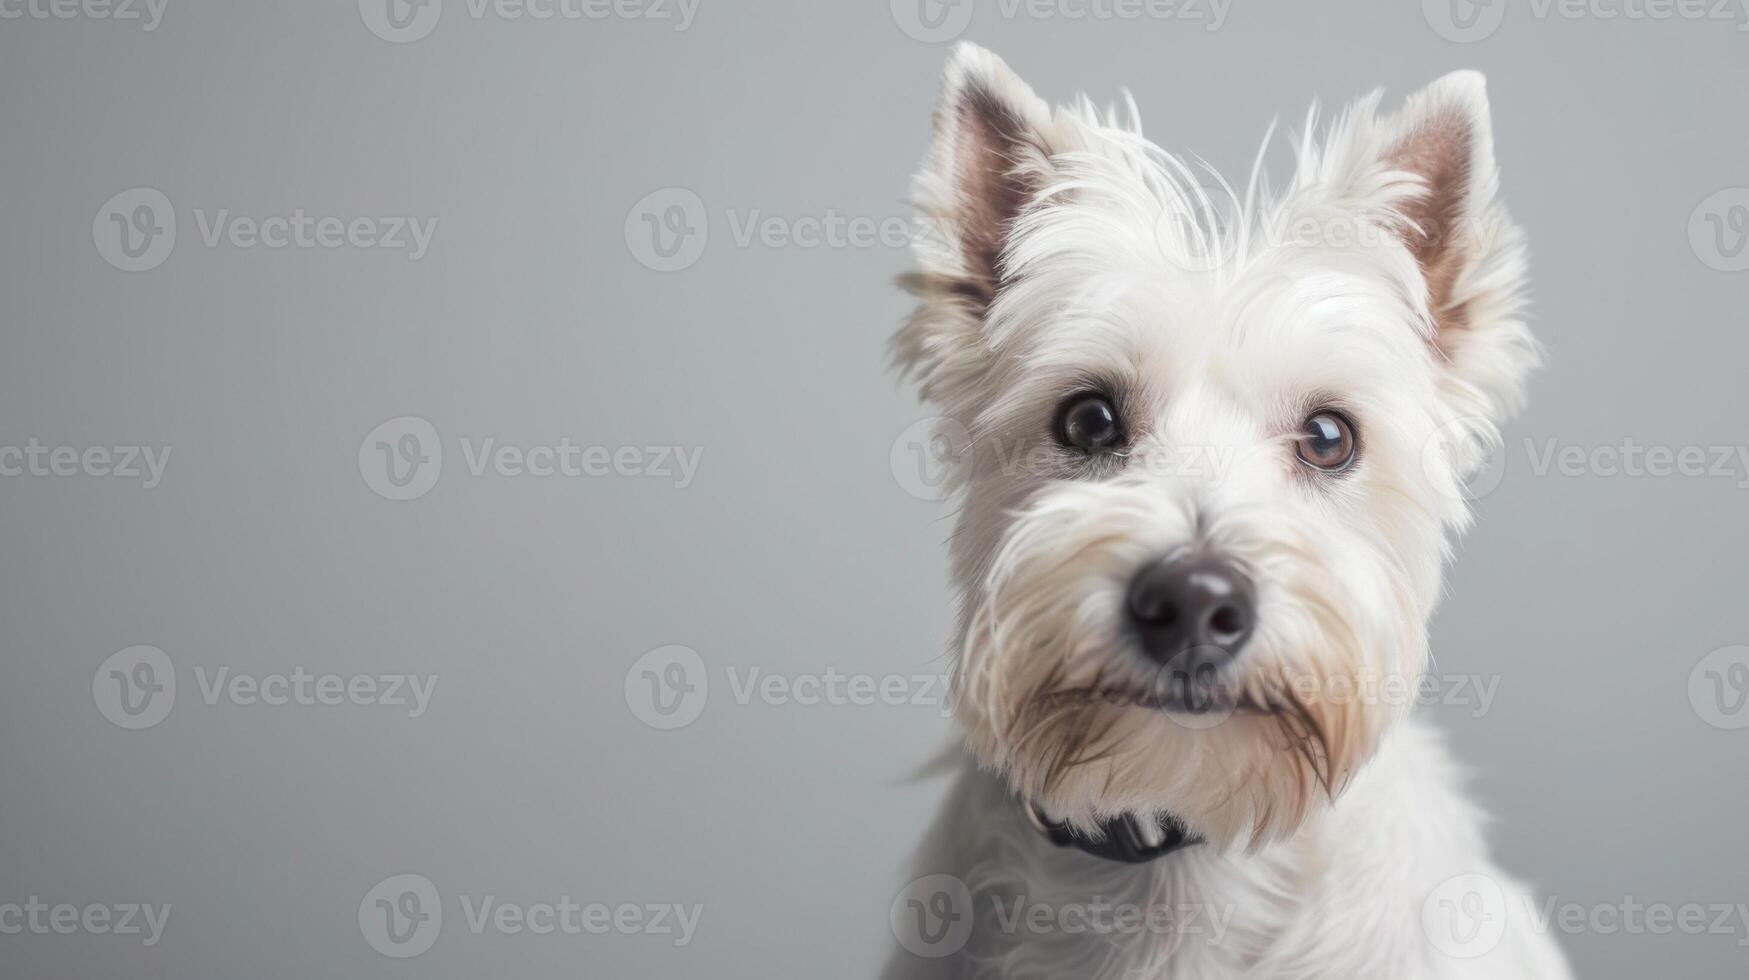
[1209, 466]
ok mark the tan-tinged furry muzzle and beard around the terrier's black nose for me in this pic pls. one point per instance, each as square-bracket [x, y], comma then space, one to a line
[1054, 696]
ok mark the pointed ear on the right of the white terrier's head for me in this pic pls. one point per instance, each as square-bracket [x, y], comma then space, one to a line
[1467, 248]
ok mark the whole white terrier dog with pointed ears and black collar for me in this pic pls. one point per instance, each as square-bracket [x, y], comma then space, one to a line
[1211, 461]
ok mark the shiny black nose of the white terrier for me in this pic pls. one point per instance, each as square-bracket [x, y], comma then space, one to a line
[1194, 603]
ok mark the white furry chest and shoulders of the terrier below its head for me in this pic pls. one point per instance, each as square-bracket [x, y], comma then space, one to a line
[1342, 900]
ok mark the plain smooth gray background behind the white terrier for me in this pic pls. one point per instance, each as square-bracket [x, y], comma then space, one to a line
[797, 549]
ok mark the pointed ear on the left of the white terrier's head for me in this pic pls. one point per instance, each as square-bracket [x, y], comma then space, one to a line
[989, 160]
